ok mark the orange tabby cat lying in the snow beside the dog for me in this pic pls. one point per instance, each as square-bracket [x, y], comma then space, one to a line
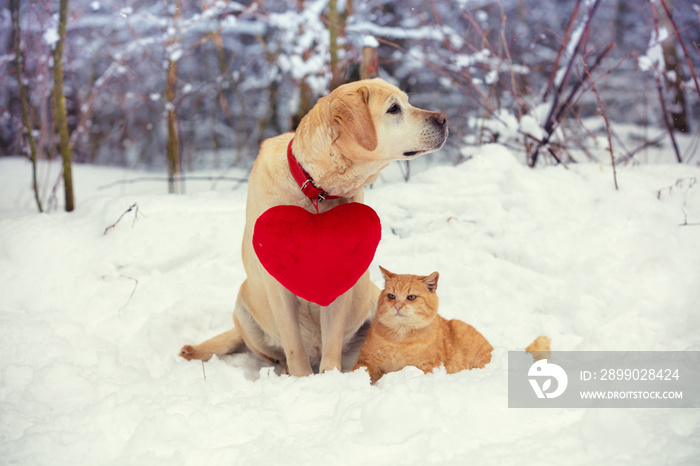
[407, 331]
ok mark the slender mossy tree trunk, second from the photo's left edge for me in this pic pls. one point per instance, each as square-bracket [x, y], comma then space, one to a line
[60, 115]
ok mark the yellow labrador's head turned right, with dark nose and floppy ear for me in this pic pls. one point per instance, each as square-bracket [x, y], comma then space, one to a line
[372, 120]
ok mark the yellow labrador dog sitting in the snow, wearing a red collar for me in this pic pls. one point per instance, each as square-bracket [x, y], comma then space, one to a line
[342, 144]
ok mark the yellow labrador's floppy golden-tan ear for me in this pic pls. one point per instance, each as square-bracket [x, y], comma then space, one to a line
[350, 114]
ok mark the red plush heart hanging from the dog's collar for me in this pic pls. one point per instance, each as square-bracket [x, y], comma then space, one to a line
[317, 257]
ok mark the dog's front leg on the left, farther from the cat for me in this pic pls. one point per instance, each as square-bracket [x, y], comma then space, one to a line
[284, 305]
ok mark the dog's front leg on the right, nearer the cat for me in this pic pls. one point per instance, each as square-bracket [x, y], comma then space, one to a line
[333, 321]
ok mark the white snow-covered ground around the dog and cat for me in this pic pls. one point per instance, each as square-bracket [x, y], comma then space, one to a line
[91, 323]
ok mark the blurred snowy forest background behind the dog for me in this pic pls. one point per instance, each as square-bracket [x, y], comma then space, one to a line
[188, 84]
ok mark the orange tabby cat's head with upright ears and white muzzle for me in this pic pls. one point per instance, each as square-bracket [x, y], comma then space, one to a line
[408, 301]
